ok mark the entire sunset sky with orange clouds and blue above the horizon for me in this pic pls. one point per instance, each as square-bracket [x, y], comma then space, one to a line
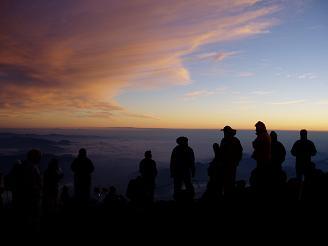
[164, 64]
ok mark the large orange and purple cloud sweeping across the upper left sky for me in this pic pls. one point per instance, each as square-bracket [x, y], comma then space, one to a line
[78, 55]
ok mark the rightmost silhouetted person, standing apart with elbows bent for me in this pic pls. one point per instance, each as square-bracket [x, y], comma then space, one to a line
[303, 150]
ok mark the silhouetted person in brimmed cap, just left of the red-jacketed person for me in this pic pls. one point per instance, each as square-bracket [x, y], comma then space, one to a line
[231, 153]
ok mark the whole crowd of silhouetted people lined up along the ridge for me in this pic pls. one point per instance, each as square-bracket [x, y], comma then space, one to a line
[34, 196]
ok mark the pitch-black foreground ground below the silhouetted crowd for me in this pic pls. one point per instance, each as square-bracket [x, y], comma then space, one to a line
[238, 218]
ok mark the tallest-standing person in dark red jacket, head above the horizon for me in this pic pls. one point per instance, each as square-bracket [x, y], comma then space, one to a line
[262, 146]
